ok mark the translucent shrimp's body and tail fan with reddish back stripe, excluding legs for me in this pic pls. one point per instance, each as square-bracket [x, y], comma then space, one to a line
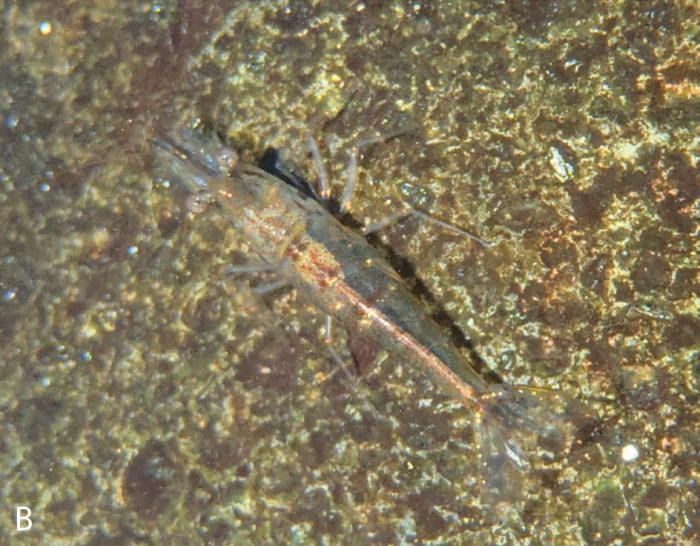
[337, 270]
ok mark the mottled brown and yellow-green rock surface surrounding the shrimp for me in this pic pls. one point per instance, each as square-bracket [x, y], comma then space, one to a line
[149, 396]
